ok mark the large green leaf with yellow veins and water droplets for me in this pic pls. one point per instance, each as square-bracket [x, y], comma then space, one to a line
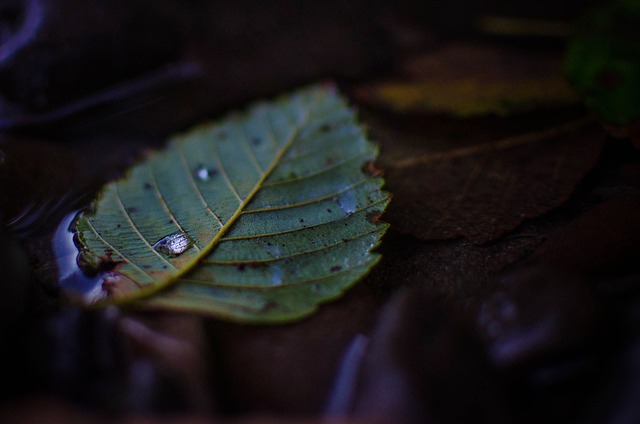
[259, 217]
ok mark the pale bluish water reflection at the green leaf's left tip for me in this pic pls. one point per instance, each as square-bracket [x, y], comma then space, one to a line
[75, 283]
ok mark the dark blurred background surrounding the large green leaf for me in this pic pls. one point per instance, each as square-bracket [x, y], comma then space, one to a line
[507, 287]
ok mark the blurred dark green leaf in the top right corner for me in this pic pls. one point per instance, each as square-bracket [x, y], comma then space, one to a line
[603, 62]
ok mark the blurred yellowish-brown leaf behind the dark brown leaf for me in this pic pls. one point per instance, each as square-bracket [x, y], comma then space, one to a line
[473, 80]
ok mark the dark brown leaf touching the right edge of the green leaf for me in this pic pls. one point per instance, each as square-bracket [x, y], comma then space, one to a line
[482, 191]
